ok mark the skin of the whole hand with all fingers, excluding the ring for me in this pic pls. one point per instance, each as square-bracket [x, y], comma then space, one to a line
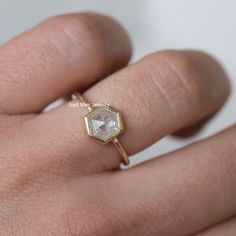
[54, 180]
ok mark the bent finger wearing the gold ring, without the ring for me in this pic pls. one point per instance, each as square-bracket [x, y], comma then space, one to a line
[157, 96]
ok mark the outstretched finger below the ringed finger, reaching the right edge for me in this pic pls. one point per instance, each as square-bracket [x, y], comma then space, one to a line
[180, 193]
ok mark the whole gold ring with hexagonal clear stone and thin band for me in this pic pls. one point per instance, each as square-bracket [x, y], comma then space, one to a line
[105, 124]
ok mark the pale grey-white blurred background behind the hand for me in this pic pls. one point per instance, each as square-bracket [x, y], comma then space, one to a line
[153, 25]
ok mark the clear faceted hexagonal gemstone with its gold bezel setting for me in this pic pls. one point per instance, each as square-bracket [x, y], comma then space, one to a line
[103, 123]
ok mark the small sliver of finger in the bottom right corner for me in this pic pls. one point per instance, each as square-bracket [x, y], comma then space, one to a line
[227, 228]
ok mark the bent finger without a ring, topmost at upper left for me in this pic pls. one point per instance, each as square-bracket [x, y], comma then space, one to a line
[57, 57]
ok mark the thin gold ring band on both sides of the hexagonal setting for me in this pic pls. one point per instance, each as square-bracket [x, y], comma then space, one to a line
[115, 141]
